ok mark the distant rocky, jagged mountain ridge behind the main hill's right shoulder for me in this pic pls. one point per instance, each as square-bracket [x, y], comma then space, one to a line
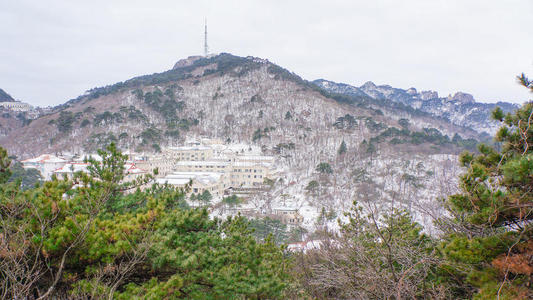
[460, 109]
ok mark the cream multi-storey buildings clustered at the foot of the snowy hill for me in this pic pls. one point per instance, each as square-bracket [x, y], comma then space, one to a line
[197, 166]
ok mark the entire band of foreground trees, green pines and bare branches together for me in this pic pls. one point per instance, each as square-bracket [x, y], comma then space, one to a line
[96, 236]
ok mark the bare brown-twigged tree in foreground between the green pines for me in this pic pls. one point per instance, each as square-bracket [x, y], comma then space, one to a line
[375, 257]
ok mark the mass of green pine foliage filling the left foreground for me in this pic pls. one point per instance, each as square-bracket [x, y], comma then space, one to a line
[87, 238]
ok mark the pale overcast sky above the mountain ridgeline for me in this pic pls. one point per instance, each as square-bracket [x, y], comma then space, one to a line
[52, 51]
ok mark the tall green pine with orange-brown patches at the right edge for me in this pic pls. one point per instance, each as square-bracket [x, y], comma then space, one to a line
[489, 245]
